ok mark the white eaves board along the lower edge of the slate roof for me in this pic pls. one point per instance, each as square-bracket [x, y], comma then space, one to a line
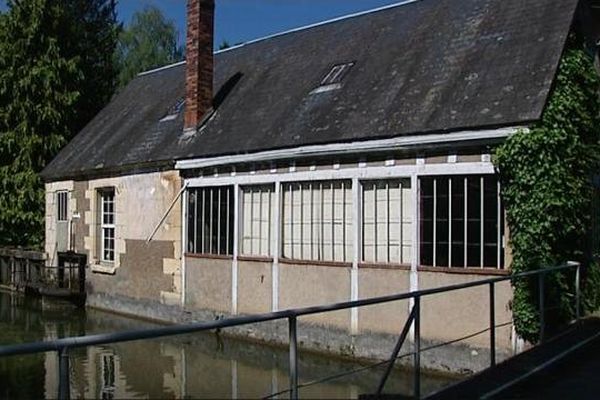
[381, 145]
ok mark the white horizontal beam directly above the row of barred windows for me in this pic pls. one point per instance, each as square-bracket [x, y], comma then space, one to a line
[473, 168]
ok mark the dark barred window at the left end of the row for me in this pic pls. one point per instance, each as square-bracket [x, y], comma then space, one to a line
[210, 220]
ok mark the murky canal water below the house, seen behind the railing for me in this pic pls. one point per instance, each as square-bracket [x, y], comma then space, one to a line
[189, 366]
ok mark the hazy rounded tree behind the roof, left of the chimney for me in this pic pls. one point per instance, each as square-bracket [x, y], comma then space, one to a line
[150, 41]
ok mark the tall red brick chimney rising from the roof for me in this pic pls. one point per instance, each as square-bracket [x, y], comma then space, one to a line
[199, 61]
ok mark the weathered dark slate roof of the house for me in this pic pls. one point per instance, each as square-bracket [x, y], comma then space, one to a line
[423, 67]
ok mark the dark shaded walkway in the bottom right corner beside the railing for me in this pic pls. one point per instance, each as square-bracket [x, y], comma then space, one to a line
[574, 374]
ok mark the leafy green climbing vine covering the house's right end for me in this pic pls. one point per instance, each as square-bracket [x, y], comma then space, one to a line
[547, 175]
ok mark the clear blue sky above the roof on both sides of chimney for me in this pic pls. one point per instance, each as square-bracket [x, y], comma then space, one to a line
[243, 20]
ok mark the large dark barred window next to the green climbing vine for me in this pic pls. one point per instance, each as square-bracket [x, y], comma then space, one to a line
[462, 222]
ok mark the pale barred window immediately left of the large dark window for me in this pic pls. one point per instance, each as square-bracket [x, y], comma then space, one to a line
[387, 219]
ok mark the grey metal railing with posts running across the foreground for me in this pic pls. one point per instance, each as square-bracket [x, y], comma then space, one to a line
[63, 346]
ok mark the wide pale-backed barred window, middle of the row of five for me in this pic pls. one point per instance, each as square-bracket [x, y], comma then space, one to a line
[317, 221]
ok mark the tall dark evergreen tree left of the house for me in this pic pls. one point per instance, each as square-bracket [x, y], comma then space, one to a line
[52, 54]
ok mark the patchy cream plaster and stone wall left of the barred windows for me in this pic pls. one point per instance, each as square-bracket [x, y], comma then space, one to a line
[141, 270]
